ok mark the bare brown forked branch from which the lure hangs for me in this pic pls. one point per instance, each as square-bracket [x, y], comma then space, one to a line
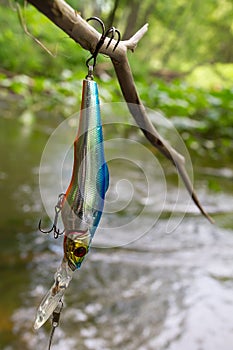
[68, 19]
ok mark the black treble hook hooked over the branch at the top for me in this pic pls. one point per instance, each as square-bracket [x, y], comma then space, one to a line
[100, 43]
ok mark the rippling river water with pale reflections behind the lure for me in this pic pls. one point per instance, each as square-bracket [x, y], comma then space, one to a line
[160, 291]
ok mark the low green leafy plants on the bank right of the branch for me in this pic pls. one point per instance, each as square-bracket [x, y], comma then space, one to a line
[203, 117]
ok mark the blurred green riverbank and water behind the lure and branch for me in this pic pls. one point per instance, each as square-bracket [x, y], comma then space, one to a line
[162, 289]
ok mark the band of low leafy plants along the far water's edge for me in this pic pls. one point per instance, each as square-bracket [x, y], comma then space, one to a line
[203, 117]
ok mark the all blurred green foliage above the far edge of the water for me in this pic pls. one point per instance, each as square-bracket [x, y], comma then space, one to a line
[181, 35]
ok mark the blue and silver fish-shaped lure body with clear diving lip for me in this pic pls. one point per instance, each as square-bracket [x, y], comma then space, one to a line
[83, 201]
